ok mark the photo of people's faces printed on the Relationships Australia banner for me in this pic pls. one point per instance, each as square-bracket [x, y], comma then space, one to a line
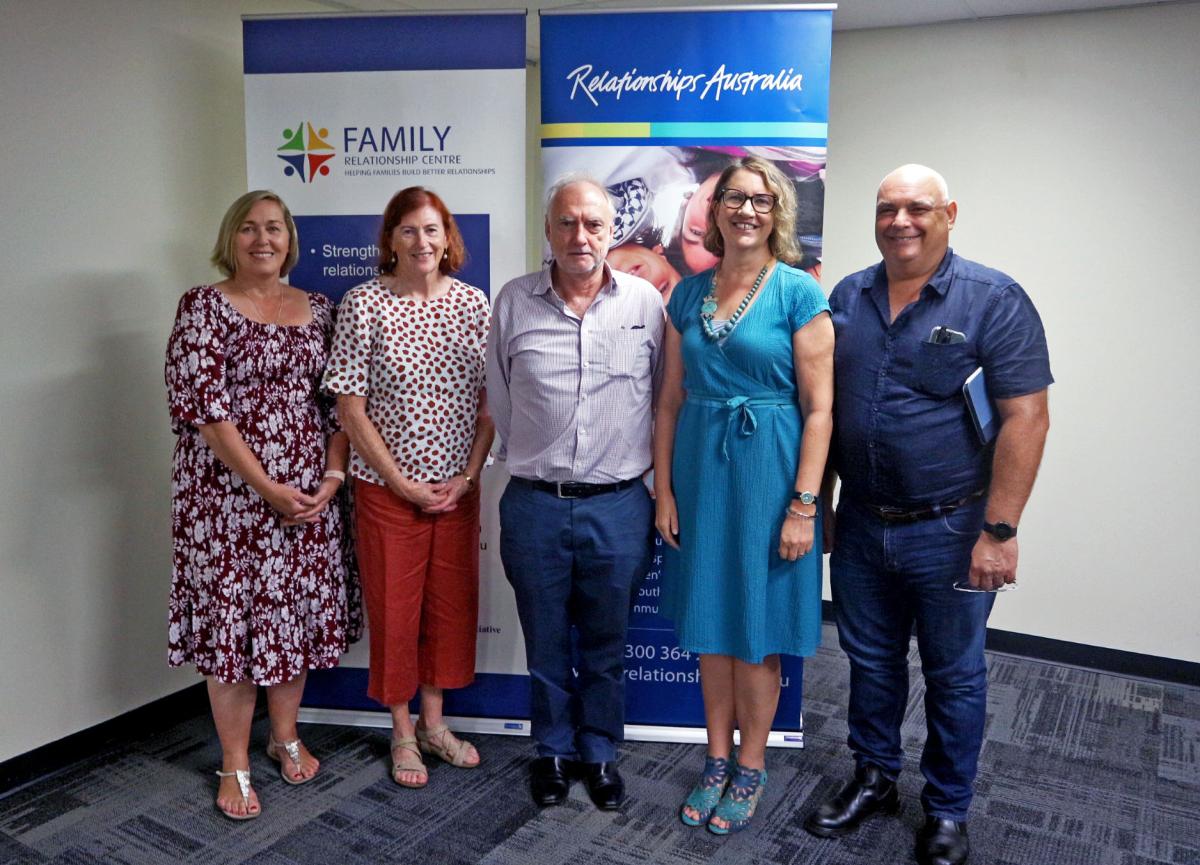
[662, 195]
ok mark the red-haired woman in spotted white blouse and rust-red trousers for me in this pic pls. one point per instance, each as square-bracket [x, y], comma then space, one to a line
[407, 368]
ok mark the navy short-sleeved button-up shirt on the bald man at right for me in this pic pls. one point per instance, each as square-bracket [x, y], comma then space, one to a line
[903, 436]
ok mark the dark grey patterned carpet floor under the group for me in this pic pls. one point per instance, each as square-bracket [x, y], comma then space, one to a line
[1079, 768]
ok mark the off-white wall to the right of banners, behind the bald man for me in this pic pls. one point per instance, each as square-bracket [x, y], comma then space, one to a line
[1071, 145]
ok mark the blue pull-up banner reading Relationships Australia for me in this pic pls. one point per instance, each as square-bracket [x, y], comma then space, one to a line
[656, 105]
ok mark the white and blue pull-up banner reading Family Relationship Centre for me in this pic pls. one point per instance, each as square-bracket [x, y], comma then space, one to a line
[341, 113]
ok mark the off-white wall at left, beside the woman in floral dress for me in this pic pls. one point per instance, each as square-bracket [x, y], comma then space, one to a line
[123, 145]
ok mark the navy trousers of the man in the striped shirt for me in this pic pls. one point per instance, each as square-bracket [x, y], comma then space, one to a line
[574, 566]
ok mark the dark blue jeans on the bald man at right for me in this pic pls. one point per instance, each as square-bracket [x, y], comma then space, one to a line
[885, 579]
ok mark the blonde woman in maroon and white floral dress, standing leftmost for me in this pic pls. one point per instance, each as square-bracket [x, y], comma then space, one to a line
[263, 585]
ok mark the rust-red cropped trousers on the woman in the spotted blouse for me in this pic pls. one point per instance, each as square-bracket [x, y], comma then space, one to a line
[421, 582]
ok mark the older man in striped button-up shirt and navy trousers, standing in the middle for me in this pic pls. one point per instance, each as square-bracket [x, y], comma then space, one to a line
[573, 359]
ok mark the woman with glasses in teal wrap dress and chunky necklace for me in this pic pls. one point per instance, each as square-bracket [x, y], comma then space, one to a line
[742, 435]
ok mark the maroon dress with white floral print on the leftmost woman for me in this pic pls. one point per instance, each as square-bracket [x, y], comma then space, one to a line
[250, 598]
